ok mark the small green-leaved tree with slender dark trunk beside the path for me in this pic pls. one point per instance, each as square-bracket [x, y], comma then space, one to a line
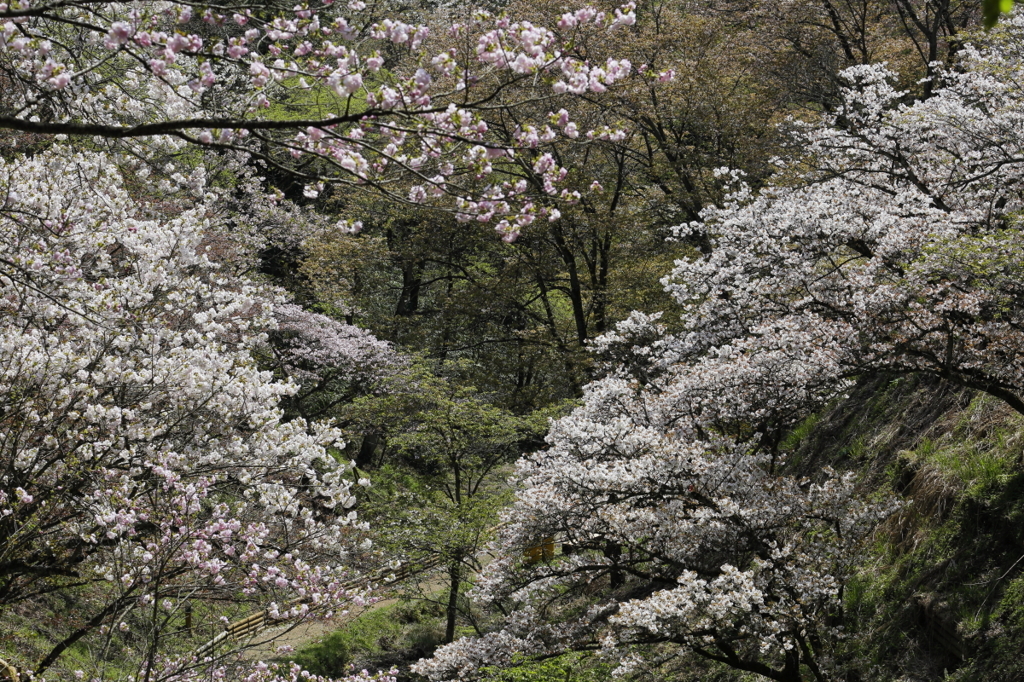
[440, 497]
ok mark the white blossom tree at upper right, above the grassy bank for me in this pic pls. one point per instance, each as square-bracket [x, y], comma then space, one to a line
[895, 230]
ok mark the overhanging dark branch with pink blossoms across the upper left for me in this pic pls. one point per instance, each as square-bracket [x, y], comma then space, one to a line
[316, 81]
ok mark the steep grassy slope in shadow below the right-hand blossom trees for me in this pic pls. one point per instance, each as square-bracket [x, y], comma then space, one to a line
[943, 593]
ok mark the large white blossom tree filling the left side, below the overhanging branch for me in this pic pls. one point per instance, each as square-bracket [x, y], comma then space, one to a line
[144, 459]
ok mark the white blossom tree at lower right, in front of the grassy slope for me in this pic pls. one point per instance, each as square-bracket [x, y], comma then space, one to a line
[681, 522]
